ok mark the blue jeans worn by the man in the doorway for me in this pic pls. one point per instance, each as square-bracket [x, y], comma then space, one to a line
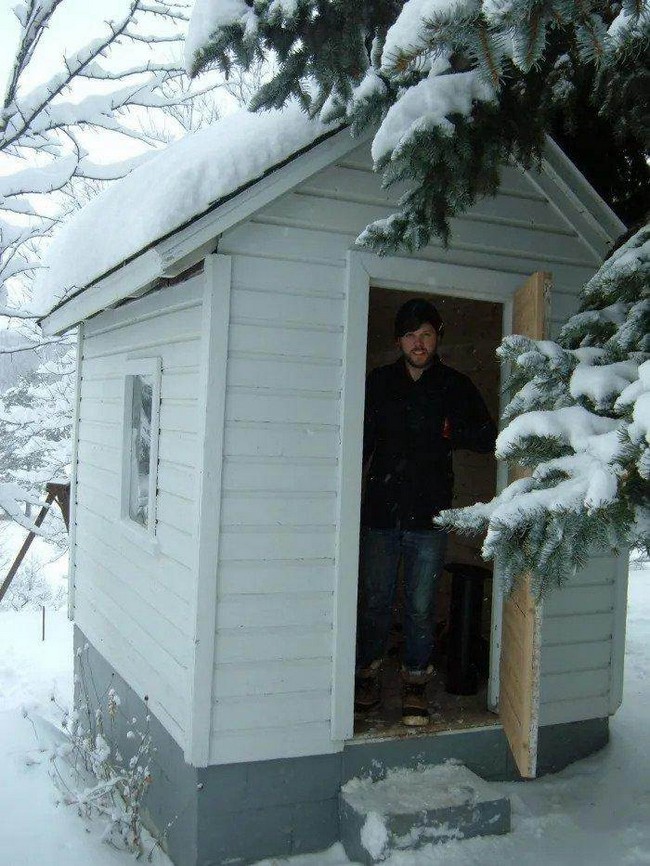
[423, 554]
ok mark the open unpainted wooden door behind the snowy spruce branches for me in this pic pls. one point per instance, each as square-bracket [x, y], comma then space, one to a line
[522, 616]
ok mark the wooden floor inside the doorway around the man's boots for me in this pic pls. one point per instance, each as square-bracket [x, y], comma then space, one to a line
[448, 712]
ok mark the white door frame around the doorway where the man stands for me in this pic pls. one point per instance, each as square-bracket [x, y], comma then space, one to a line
[363, 270]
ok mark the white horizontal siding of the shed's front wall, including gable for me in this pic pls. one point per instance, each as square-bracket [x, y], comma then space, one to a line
[274, 639]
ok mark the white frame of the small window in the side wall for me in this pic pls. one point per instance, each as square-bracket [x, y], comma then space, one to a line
[150, 367]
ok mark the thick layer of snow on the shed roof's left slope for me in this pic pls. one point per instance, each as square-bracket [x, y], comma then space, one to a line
[164, 193]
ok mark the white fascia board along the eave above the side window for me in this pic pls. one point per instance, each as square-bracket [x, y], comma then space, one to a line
[130, 280]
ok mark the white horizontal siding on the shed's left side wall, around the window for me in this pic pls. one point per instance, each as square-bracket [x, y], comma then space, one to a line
[133, 602]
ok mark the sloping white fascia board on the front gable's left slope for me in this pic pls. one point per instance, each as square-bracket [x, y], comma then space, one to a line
[187, 246]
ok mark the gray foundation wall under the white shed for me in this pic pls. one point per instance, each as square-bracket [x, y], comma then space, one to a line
[236, 814]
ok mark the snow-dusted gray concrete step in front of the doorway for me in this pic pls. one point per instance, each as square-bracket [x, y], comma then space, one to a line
[410, 808]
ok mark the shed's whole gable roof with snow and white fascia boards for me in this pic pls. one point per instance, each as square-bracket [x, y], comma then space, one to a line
[243, 164]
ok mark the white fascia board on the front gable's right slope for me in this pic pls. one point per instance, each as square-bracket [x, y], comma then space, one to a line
[577, 201]
